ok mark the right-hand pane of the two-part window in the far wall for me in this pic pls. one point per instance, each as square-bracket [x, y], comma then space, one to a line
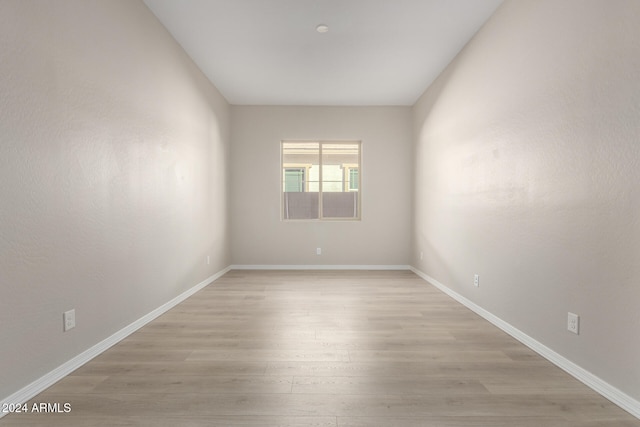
[338, 159]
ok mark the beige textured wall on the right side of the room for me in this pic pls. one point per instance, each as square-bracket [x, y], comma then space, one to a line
[527, 173]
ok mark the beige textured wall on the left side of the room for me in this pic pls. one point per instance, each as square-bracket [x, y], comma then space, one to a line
[113, 180]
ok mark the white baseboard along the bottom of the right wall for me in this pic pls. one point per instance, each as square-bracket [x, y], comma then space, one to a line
[608, 391]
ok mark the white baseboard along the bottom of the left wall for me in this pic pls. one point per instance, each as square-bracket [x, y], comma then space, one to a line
[66, 368]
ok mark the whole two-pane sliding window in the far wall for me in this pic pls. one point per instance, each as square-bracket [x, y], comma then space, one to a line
[321, 180]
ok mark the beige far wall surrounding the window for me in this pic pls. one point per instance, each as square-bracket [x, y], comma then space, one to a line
[259, 237]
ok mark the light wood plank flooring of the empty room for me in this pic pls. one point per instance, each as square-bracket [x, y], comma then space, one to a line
[322, 348]
